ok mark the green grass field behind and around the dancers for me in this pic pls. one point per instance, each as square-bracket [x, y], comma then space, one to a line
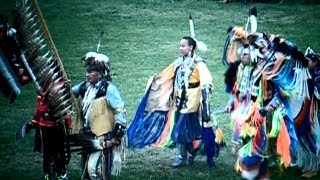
[141, 38]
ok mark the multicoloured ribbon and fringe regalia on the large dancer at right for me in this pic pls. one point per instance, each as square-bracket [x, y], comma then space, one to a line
[271, 135]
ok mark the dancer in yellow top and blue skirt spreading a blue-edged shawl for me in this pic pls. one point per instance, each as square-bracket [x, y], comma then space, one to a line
[175, 108]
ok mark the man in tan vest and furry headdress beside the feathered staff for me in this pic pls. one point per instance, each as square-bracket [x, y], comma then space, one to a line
[103, 117]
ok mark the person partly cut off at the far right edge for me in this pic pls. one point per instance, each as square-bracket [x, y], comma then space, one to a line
[307, 121]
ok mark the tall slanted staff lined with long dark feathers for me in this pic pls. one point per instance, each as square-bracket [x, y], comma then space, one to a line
[41, 59]
